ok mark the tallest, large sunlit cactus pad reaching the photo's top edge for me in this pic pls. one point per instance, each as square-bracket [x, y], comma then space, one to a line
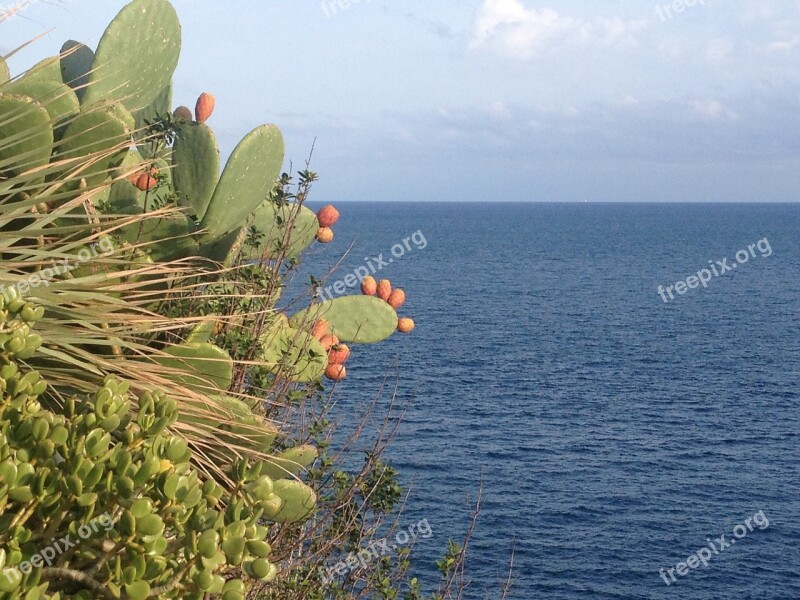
[137, 55]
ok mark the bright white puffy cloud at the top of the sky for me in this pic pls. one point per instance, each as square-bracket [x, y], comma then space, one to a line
[511, 29]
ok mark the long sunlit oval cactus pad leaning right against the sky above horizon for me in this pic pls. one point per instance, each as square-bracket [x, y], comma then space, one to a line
[249, 176]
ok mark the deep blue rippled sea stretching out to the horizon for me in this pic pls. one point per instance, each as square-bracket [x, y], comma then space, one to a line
[614, 433]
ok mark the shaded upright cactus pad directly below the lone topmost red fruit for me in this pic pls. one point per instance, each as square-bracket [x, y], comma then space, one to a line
[195, 159]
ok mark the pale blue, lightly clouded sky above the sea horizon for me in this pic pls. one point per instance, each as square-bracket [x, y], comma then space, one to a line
[491, 100]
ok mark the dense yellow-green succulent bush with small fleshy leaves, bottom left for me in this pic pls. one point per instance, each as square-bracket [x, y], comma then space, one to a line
[107, 478]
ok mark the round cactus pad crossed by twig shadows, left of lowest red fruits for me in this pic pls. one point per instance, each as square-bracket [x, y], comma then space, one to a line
[294, 354]
